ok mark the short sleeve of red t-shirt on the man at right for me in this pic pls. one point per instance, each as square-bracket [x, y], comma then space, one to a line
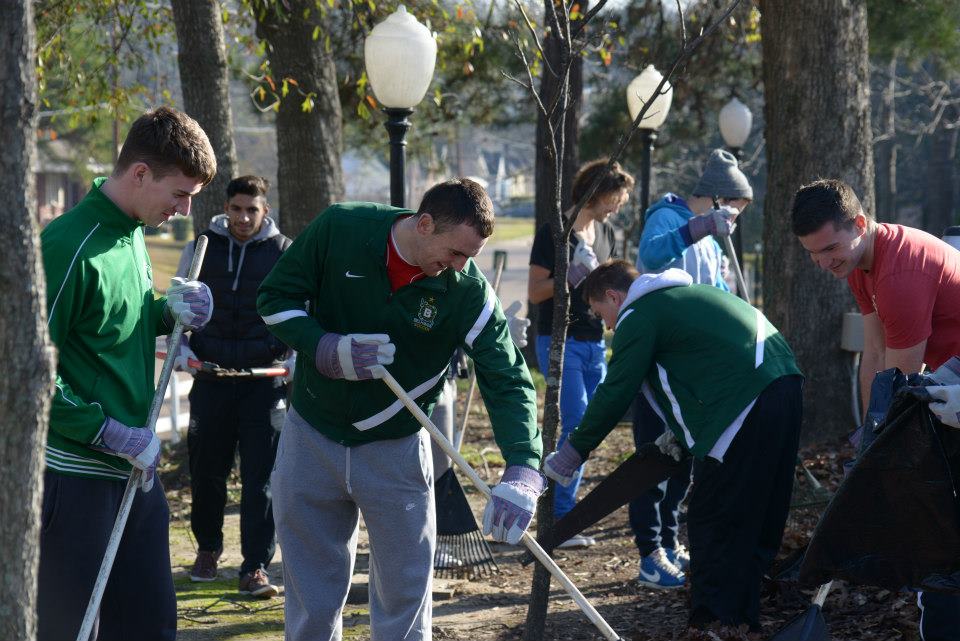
[905, 306]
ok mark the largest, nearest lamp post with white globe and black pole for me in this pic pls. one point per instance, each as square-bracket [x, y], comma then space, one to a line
[399, 55]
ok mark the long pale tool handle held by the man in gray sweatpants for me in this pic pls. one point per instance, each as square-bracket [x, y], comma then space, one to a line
[531, 543]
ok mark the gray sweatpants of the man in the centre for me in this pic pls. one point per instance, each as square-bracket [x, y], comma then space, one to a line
[319, 489]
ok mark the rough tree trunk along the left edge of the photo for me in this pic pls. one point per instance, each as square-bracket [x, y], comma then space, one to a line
[25, 388]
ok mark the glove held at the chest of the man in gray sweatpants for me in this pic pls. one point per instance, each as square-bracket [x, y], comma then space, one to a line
[353, 356]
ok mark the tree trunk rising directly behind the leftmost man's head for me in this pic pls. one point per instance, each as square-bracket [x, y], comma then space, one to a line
[205, 82]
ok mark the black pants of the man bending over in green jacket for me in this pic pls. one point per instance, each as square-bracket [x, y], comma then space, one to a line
[738, 509]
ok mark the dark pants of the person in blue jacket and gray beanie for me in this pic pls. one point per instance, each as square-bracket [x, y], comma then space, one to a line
[653, 515]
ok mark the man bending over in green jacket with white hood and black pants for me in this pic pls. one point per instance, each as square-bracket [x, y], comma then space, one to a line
[725, 382]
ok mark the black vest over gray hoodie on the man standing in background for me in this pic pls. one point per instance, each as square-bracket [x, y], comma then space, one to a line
[236, 336]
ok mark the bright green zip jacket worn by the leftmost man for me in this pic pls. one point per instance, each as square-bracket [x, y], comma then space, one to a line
[103, 318]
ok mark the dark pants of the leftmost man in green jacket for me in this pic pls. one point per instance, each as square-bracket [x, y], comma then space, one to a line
[139, 603]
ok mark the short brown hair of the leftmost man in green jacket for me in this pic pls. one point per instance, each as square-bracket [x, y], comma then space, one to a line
[167, 140]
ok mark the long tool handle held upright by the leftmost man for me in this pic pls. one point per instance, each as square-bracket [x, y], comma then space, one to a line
[133, 483]
